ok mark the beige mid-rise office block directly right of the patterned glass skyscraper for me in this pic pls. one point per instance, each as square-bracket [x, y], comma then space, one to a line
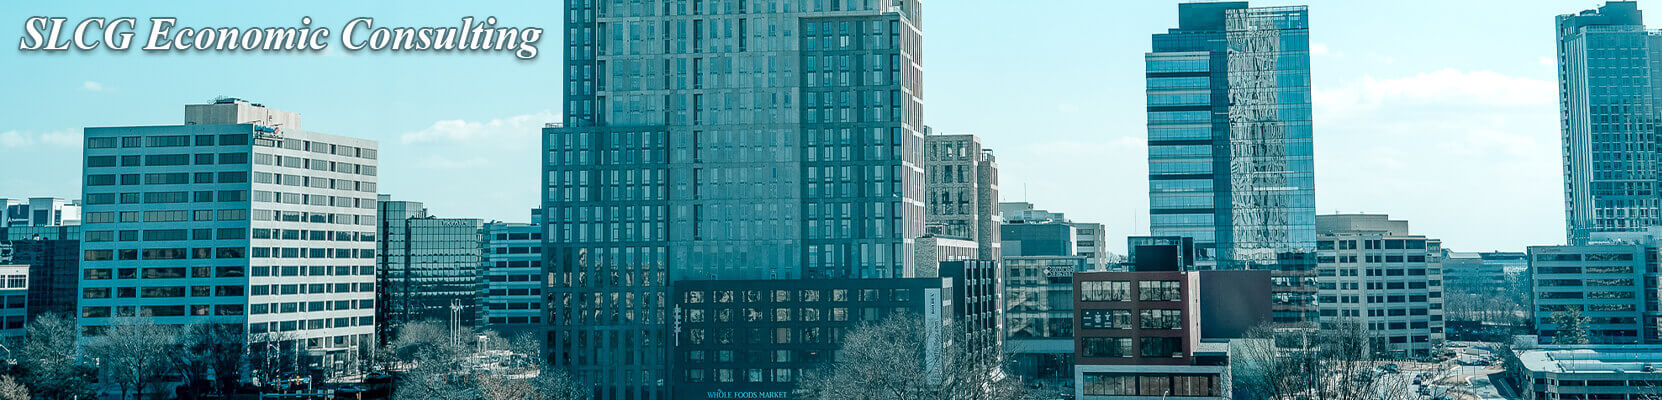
[1372, 271]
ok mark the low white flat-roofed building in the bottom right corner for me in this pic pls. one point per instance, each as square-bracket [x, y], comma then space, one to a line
[1591, 373]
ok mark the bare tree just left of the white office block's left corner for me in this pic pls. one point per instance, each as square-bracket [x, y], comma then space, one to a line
[51, 364]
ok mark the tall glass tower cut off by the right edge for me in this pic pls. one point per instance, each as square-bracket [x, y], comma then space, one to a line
[1608, 90]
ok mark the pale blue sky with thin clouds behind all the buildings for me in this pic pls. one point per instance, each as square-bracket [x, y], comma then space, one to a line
[1442, 114]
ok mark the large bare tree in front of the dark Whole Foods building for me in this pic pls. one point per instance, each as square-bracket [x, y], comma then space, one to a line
[895, 359]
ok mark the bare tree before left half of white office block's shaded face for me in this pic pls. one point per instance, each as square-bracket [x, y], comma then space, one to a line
[134, 353]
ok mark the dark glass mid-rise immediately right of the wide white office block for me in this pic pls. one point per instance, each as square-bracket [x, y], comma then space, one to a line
[428, 268]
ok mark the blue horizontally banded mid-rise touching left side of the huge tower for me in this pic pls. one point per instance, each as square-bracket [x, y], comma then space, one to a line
[513, 273]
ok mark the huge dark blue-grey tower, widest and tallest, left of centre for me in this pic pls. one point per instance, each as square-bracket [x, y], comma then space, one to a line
[729, 140]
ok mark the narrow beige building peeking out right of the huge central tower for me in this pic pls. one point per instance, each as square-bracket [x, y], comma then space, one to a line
[961, 192]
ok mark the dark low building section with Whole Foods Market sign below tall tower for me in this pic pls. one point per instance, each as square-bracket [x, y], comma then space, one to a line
[760, 338]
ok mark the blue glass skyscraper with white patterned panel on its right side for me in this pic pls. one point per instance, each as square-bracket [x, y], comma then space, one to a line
[1231, 144]
